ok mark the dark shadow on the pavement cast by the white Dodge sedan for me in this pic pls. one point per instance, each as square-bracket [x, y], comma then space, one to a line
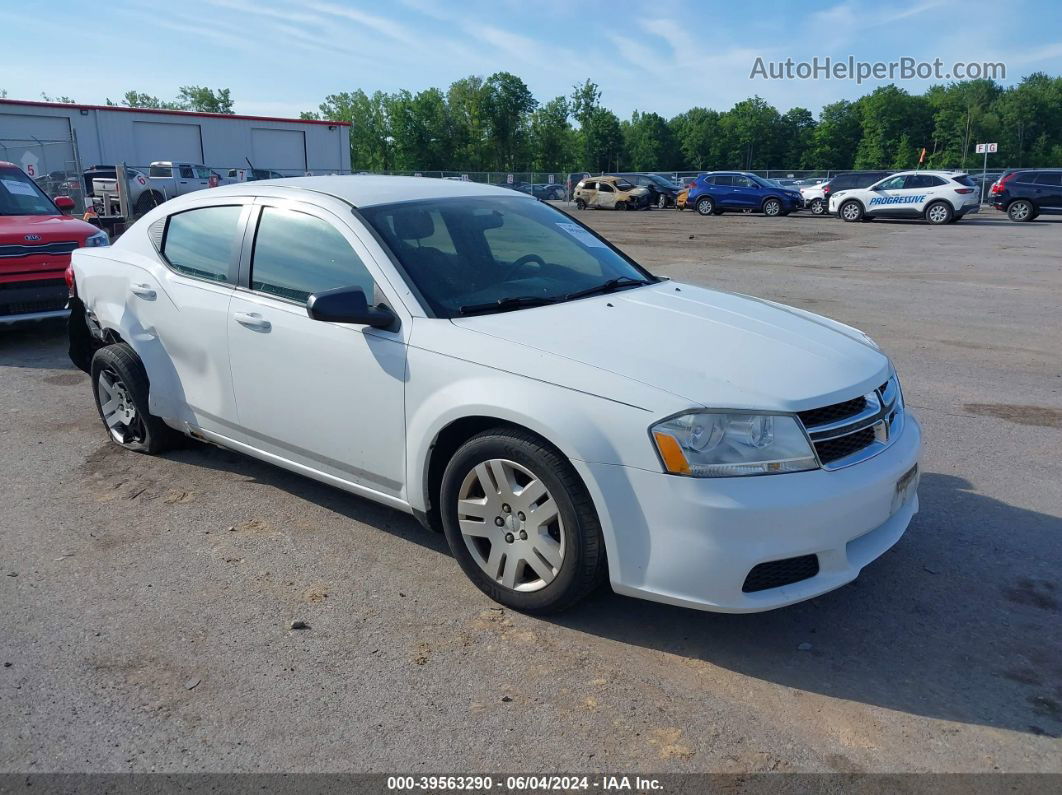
[950, 625]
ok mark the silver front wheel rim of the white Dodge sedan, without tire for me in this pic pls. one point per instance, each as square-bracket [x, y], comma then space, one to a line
[511, 525]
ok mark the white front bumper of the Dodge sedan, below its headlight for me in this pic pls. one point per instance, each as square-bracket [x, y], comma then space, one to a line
[693, 542]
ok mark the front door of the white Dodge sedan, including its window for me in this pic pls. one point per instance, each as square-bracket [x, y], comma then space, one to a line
[328, 396]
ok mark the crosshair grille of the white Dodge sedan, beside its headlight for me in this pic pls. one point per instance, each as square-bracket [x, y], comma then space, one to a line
[855, 430]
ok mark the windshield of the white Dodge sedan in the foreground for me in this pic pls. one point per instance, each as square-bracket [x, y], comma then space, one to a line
[493, 253]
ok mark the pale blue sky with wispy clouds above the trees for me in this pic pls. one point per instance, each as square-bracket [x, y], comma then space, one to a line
[283, 58]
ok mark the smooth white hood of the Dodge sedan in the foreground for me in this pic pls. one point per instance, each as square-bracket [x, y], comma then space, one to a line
[705, 347]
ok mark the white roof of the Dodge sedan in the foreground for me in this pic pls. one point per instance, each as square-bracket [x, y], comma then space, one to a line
[370, 191]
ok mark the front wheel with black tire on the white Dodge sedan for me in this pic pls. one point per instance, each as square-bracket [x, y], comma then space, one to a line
[571, 562]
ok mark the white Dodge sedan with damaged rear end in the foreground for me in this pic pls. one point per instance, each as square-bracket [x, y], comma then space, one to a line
[489, 365]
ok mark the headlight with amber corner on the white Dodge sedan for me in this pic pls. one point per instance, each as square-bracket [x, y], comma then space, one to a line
[717, 445]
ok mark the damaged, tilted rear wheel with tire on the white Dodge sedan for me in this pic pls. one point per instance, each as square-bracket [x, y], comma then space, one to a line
[118, 373]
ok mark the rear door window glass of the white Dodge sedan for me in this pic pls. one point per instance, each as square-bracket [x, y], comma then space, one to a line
[202, 244]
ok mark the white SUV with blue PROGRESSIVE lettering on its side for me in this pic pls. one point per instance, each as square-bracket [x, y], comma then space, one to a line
[938, 197]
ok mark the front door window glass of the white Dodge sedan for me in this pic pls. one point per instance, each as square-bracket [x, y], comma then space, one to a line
[297, 255]
